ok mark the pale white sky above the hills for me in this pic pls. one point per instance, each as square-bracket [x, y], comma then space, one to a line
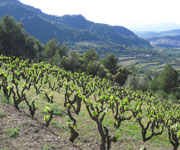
[114, 12]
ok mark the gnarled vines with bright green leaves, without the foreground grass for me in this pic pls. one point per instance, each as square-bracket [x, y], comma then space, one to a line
[99, 96]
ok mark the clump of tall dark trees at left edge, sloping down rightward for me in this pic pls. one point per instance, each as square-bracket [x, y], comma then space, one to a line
[14, 41]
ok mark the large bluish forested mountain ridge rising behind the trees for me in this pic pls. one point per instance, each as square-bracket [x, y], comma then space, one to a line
[75, 30]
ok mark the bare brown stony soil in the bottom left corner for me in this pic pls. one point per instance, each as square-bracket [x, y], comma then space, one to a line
[31, 135]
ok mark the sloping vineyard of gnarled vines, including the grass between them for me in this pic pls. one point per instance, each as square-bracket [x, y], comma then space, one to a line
[88, 109]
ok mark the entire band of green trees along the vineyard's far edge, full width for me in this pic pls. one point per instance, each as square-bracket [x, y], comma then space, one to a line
[15, 42]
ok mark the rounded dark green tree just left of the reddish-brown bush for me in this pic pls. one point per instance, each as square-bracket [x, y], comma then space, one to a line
[110, 62]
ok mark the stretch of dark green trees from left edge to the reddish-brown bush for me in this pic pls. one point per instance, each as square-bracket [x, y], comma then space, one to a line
[15, 42]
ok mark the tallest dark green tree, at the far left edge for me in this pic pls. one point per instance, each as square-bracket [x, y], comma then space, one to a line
[12, 37]
